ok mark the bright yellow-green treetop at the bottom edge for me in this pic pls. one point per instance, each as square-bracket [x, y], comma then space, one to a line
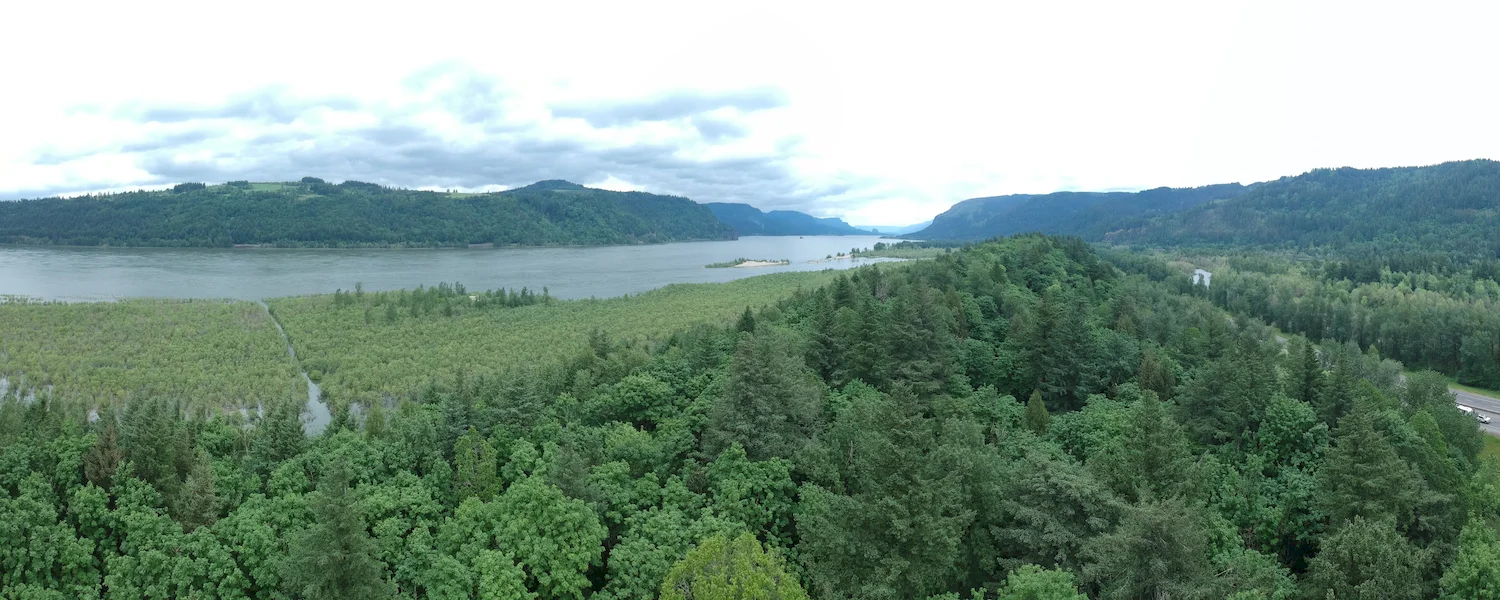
[722, 569]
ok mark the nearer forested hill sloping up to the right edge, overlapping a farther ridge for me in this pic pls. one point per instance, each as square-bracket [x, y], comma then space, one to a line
[1451, 208]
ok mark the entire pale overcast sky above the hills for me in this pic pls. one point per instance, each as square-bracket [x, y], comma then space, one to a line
[875, 113]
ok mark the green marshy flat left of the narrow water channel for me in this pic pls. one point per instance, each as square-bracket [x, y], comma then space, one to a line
[208, 353]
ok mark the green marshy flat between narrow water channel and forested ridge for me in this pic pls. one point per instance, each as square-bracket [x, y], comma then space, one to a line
[359, 353]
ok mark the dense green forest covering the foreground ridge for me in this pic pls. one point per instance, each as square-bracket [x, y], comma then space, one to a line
[1019, 419]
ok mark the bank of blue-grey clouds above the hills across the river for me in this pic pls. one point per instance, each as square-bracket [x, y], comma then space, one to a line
[458, 128]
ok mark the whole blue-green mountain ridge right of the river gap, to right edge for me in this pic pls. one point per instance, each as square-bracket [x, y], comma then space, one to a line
[1453, 208]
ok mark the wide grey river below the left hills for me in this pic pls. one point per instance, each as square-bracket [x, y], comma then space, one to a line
[104, 274]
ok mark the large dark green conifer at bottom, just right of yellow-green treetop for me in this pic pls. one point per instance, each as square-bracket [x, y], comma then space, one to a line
[890, 523]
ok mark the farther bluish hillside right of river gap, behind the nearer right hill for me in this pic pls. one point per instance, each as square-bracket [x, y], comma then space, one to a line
[1090, 215]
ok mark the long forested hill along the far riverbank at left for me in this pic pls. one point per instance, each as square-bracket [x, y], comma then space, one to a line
[353, 214]
